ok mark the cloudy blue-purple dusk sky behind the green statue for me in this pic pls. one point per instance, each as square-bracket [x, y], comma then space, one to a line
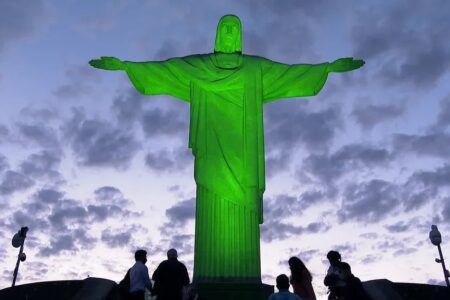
[96, 170]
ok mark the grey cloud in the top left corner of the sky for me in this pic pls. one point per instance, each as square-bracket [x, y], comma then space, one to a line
[19, 19]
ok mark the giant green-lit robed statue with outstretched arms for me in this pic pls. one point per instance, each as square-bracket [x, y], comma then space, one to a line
[226, 91]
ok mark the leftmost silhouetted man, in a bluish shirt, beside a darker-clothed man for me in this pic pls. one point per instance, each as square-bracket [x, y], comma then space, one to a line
[139, 279]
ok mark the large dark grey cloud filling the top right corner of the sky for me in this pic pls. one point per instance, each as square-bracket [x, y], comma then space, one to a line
[393, 36]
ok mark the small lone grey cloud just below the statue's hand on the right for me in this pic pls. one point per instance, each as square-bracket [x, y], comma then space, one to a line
[371, 115]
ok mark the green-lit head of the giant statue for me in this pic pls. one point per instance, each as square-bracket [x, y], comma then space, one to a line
[229, 35]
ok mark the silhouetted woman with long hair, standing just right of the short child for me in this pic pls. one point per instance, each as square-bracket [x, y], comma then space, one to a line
[301, 279]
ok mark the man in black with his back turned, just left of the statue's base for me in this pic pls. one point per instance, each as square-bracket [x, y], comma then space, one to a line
[170, 277]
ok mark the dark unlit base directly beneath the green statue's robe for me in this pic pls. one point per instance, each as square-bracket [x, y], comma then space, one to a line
[233, 291]
